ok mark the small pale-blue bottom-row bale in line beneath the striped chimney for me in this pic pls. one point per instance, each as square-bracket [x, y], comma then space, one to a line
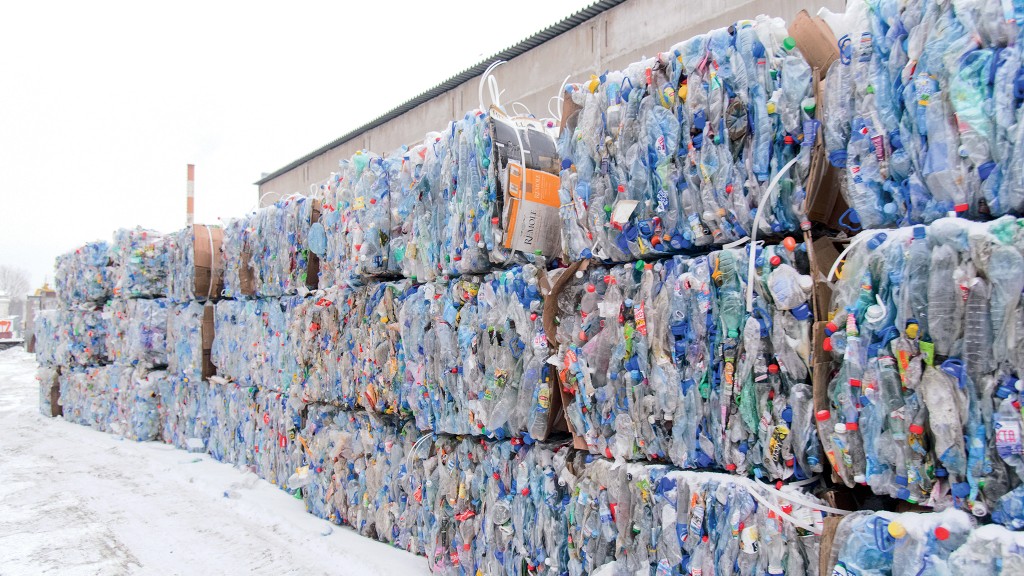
[184, 415]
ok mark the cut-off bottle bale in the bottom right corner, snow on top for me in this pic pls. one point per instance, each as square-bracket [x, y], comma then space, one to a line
[945, 543]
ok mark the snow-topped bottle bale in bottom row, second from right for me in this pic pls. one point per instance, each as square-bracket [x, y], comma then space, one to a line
[685, 522]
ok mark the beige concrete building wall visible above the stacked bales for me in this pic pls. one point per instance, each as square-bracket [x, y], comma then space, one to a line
[611, 42]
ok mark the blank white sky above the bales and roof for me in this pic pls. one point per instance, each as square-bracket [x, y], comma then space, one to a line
[104, 104]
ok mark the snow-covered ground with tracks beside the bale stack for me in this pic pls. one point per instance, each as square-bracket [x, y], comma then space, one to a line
[74, 501]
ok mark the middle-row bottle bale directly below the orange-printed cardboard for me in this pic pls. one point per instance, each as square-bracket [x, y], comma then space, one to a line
[476, 353]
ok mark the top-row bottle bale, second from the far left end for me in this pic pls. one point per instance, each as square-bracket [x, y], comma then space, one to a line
[143, 260]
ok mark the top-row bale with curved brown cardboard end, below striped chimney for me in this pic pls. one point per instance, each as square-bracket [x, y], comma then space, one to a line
[196, 268]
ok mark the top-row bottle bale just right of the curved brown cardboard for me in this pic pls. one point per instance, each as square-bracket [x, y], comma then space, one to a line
[270, 244]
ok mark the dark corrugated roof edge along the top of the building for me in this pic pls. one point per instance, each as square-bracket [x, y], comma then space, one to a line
[530, 44]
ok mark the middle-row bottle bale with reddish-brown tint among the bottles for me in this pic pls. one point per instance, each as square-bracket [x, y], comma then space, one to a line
[349, 345]
